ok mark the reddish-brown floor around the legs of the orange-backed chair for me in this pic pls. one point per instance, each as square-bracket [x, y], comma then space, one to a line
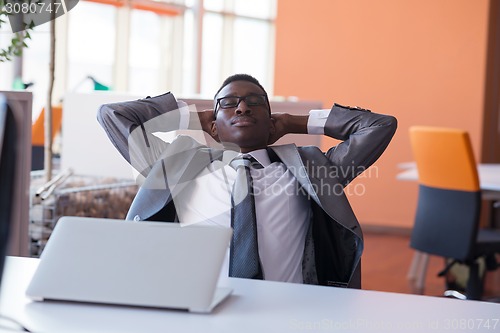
[386, 261]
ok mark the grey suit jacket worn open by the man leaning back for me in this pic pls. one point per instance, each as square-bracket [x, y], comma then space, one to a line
[334, 242]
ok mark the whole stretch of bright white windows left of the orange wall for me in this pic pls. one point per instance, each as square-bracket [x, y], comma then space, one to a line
[150, 46]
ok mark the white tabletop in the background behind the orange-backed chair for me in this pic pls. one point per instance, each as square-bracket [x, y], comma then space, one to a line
[489, 175]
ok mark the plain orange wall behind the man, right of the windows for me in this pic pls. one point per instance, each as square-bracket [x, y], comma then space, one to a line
[422, 61]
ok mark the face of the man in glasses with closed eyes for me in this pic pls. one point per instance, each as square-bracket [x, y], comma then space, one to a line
[247, 125]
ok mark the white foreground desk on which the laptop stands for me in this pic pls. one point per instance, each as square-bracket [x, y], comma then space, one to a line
[255, 306]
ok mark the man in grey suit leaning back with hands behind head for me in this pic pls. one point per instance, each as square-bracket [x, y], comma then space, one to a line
[306, 231]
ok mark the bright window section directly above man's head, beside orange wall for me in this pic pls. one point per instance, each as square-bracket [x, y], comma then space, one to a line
[238, 37]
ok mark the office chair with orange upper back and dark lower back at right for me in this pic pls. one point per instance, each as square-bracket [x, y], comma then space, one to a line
[449, 205]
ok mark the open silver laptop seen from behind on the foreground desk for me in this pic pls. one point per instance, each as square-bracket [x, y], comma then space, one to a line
[146, 264]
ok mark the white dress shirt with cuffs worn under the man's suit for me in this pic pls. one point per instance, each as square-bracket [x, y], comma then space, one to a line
[283, 212]
